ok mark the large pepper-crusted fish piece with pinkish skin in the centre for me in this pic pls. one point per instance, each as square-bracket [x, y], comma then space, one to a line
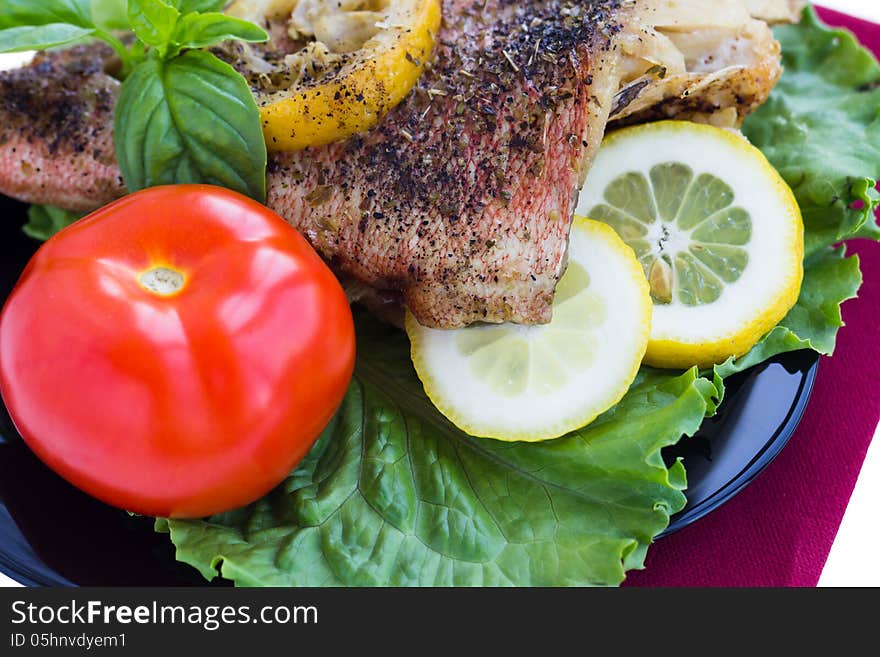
[462, 197]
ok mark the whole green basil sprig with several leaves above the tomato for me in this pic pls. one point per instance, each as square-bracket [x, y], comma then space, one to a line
[183, 116]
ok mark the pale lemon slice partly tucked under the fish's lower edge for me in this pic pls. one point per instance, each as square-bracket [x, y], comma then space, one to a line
[532, 383]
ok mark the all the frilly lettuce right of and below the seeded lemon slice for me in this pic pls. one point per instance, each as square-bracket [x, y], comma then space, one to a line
[821, 130]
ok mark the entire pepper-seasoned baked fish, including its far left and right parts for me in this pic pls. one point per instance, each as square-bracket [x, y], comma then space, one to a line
[460, 201]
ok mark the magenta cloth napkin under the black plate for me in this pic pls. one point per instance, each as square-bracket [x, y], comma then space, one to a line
[779, 530]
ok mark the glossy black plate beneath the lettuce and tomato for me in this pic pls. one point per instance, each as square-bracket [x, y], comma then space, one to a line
[52, 534]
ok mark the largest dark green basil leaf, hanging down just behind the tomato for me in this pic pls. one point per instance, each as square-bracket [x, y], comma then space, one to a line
[192, 119]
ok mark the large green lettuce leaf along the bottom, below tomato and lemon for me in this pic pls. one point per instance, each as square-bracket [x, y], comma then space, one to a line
[393, 494]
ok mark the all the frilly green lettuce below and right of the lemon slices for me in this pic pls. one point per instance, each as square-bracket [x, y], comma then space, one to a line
[393, 494]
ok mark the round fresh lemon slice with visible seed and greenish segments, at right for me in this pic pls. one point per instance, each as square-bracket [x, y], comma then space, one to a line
[717, 231]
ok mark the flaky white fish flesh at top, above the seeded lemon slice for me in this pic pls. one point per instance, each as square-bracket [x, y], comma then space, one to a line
[713, 61]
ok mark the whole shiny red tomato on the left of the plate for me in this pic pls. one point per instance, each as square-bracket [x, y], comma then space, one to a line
[176, 353]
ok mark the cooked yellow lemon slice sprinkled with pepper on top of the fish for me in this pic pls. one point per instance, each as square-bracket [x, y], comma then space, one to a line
[334, 69]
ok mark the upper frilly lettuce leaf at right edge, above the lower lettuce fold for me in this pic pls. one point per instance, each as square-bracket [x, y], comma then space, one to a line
[821, 130]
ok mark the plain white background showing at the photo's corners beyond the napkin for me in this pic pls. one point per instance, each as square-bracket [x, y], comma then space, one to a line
[860, 532]
